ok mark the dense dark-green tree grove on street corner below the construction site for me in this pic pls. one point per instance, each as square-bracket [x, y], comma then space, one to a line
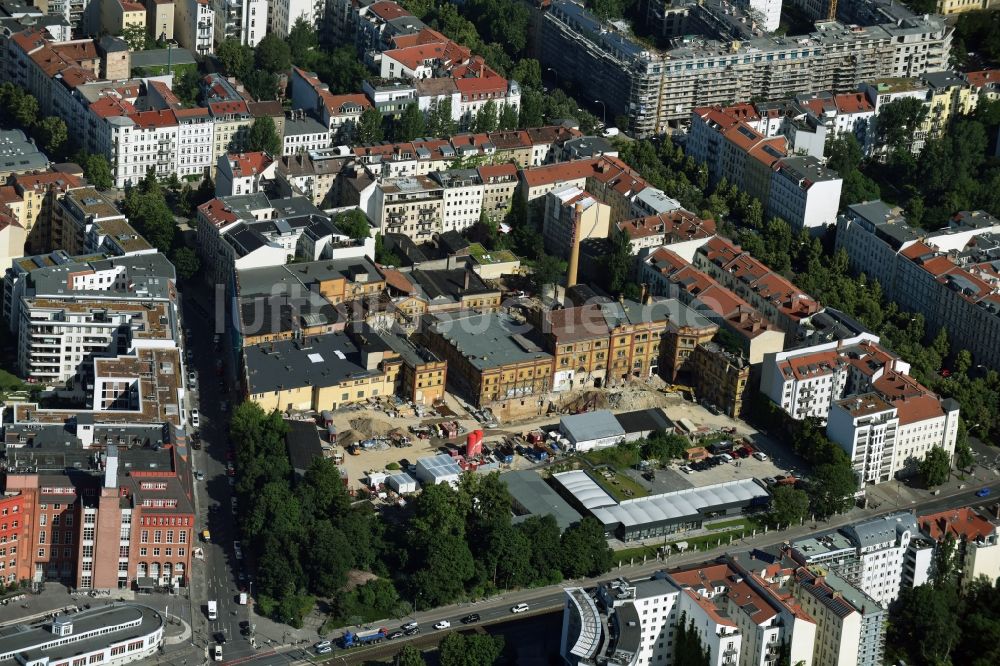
[306, 536]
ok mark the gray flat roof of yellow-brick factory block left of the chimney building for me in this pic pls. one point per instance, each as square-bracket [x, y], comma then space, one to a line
[490, 340]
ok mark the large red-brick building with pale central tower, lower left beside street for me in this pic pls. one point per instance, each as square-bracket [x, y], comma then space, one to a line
[114, 511]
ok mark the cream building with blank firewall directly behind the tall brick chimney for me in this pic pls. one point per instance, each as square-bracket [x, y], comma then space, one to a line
[573, 215]
